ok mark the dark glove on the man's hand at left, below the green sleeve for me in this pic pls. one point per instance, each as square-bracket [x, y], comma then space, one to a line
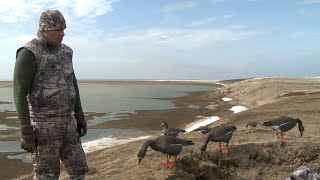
[28, 140]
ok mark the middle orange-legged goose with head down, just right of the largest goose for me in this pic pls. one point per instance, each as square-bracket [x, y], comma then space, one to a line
[222, 133]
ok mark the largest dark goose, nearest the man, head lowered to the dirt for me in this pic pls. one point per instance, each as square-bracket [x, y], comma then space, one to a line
[171, 146]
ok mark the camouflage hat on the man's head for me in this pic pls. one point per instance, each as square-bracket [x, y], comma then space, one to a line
[51, 20]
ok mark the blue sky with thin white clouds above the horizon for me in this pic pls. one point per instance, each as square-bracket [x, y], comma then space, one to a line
[174, 39]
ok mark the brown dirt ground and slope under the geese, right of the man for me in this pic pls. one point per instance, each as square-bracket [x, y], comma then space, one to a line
[254, 153]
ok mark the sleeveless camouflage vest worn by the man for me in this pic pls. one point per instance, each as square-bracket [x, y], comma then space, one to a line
[52, 92]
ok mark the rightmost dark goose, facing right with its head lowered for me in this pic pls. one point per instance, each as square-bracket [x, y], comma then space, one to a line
[283, 124]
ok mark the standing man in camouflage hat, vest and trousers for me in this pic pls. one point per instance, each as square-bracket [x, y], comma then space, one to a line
[46, 94]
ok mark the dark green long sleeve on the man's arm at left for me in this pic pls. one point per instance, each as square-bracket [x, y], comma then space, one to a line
[24, 72]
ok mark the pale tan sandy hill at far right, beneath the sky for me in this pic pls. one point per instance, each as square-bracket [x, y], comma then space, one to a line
[259, 91]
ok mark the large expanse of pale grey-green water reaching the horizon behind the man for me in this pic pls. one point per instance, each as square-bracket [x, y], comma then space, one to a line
[108, 98]
